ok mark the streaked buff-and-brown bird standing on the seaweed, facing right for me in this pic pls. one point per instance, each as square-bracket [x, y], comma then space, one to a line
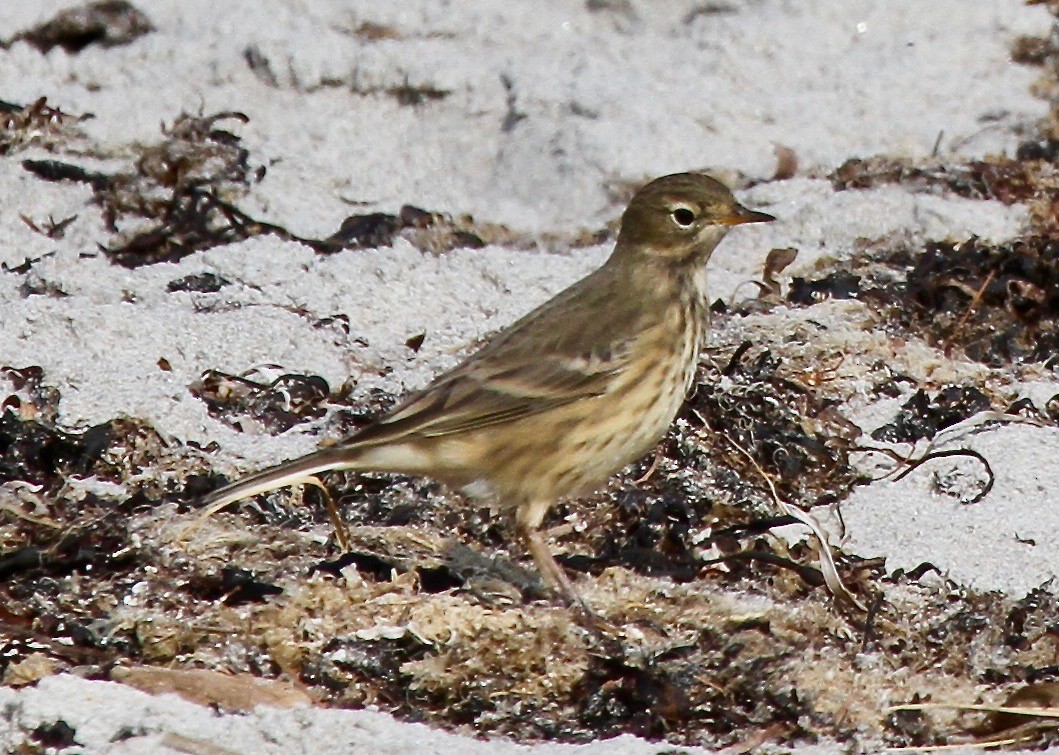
[581, 387]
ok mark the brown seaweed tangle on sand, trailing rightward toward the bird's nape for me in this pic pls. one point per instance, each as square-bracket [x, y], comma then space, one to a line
[180, 197]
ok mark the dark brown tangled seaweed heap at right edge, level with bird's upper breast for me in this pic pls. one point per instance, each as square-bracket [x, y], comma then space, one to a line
[997, 303]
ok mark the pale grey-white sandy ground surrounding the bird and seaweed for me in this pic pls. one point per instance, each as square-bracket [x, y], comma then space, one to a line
[533, 116]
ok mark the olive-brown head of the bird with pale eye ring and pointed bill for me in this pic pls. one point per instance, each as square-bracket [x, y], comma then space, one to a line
[680, 219]
